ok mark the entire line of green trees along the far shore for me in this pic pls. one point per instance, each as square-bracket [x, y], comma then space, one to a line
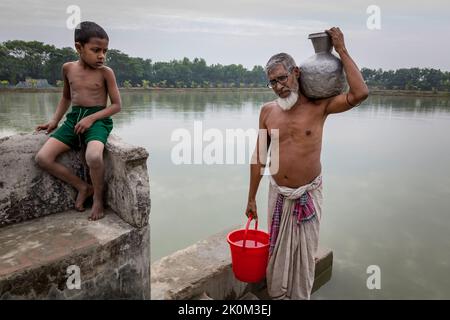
[20, 60]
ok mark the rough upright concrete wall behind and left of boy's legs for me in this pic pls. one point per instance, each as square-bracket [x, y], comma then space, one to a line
[26, 192]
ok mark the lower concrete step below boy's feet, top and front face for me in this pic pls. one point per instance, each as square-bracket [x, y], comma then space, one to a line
[113, 258]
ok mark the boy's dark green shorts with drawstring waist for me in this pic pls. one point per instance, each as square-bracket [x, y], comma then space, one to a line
[99, 130]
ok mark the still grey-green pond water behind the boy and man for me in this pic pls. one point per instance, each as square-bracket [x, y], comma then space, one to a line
[386, 170]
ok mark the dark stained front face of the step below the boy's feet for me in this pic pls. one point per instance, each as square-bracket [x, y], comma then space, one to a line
[116, 281]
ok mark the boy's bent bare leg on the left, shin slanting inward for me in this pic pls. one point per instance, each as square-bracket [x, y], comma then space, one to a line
[46, 159]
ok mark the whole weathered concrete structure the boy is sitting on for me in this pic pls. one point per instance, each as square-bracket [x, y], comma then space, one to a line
[48, 250]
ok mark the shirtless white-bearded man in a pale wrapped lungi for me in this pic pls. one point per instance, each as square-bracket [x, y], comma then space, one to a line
[295, 192]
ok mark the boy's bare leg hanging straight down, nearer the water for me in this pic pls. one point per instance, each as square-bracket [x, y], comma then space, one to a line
[94, 160]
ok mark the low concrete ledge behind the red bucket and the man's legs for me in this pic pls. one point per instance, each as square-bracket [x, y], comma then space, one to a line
[203, 270]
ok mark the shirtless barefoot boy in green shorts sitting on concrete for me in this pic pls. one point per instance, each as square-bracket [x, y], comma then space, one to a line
[87, 84]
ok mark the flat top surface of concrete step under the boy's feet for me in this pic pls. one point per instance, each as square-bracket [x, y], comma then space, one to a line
[46, 240]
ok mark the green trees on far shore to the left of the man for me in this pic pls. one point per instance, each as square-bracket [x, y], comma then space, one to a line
[36, 60]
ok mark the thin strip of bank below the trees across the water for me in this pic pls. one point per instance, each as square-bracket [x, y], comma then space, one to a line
[374, 92]
